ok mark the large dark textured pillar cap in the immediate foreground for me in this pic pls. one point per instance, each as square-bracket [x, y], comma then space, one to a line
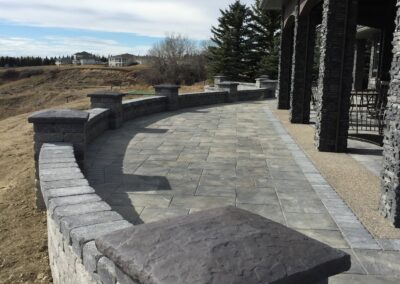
[223, 245]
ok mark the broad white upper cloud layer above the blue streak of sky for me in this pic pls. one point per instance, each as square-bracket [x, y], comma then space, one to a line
[144, 17]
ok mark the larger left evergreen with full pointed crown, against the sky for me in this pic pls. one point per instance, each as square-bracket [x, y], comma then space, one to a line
[231, 43]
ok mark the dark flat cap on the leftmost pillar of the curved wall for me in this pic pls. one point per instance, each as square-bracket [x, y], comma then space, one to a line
[58, 115]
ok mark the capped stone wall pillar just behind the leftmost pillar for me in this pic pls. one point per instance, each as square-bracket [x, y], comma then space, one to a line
[112, 101]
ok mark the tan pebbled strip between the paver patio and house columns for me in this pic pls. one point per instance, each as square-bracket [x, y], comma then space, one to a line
[352, 181]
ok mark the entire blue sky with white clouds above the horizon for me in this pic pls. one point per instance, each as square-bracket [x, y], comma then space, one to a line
[56, 27]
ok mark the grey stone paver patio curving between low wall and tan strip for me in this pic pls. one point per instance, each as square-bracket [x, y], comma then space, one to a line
[176, 163]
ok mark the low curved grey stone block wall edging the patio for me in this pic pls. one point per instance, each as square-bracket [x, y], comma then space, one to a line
[76, 215]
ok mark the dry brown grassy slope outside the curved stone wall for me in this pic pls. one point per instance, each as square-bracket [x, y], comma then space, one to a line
[23, 235]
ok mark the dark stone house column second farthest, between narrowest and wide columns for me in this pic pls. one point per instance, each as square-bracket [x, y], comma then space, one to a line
[302, 65]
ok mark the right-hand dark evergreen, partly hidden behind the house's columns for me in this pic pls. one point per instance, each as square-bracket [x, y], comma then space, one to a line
[266, 27]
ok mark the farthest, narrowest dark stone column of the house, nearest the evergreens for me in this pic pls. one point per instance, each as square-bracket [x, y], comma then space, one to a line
[285, 67]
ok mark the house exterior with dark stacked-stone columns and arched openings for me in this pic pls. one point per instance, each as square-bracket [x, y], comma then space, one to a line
[348, 29]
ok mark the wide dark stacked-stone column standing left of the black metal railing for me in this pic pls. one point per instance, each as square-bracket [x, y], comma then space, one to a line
[338, 31]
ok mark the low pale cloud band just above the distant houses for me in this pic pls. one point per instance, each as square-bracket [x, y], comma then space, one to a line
[55, 46]
